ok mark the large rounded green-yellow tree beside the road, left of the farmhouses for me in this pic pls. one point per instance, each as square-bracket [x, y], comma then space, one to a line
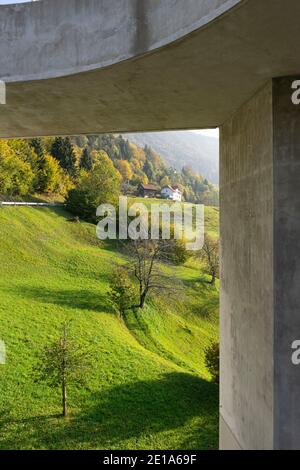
[100, 186]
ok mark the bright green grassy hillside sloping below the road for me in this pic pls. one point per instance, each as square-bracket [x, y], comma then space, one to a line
[149, 387]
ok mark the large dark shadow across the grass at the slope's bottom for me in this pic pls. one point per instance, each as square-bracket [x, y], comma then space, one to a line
[134, 412]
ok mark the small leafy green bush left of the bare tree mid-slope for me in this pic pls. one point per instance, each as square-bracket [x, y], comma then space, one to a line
[122, 291]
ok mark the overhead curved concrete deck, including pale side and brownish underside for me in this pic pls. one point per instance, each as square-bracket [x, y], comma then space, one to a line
[133, 65]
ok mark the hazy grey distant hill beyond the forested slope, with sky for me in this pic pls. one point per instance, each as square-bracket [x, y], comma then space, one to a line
[179, 148]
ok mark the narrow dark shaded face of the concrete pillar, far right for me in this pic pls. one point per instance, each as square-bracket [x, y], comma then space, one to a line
[286, 264]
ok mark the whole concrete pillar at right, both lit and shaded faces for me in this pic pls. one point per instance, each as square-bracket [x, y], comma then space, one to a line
[260, 272]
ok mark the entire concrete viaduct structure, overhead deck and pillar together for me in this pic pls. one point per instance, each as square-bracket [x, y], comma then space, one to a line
[87, 66]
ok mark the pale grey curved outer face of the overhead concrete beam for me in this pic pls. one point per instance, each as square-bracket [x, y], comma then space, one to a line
[53, 38]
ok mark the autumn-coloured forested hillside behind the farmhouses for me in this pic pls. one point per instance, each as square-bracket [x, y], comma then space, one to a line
[54, 166]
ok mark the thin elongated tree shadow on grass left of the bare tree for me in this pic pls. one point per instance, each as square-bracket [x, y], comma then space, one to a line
[73, 298]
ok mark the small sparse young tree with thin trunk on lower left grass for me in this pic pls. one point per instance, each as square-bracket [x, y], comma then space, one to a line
[62, 363]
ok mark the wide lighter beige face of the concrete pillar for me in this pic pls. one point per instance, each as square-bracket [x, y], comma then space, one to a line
[247, 311]
